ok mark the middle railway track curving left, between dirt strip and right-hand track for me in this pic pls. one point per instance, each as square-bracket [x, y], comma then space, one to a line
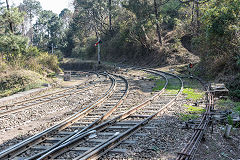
[92, 114]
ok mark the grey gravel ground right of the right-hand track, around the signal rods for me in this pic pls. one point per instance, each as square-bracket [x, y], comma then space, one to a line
[167, 138]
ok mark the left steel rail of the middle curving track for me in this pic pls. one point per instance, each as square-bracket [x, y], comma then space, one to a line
[24, 145]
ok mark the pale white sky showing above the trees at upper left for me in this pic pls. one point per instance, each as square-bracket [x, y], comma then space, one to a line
[54, 5]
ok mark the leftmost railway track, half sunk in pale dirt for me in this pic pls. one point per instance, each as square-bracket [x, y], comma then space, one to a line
[28, 103]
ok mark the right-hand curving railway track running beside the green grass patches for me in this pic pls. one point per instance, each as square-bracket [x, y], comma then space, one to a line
[104, 137]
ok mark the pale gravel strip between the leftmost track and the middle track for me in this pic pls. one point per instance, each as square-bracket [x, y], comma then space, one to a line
[21, 125]
